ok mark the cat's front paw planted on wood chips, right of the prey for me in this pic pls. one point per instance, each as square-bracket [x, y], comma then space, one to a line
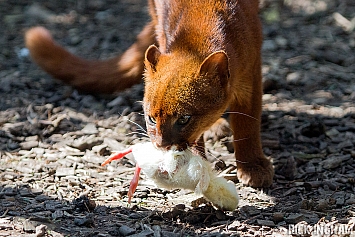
[257, 175]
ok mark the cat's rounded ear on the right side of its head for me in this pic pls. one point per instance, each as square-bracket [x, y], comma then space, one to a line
[216, 64]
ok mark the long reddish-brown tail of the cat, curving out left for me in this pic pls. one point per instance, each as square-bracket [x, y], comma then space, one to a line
[107, 76]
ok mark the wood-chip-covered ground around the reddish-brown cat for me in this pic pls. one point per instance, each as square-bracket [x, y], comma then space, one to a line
[53, 138]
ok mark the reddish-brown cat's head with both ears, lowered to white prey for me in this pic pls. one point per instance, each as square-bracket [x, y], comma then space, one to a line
[183, 97]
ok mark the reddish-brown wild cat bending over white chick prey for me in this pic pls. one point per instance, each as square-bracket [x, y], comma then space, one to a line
[206, 60]
